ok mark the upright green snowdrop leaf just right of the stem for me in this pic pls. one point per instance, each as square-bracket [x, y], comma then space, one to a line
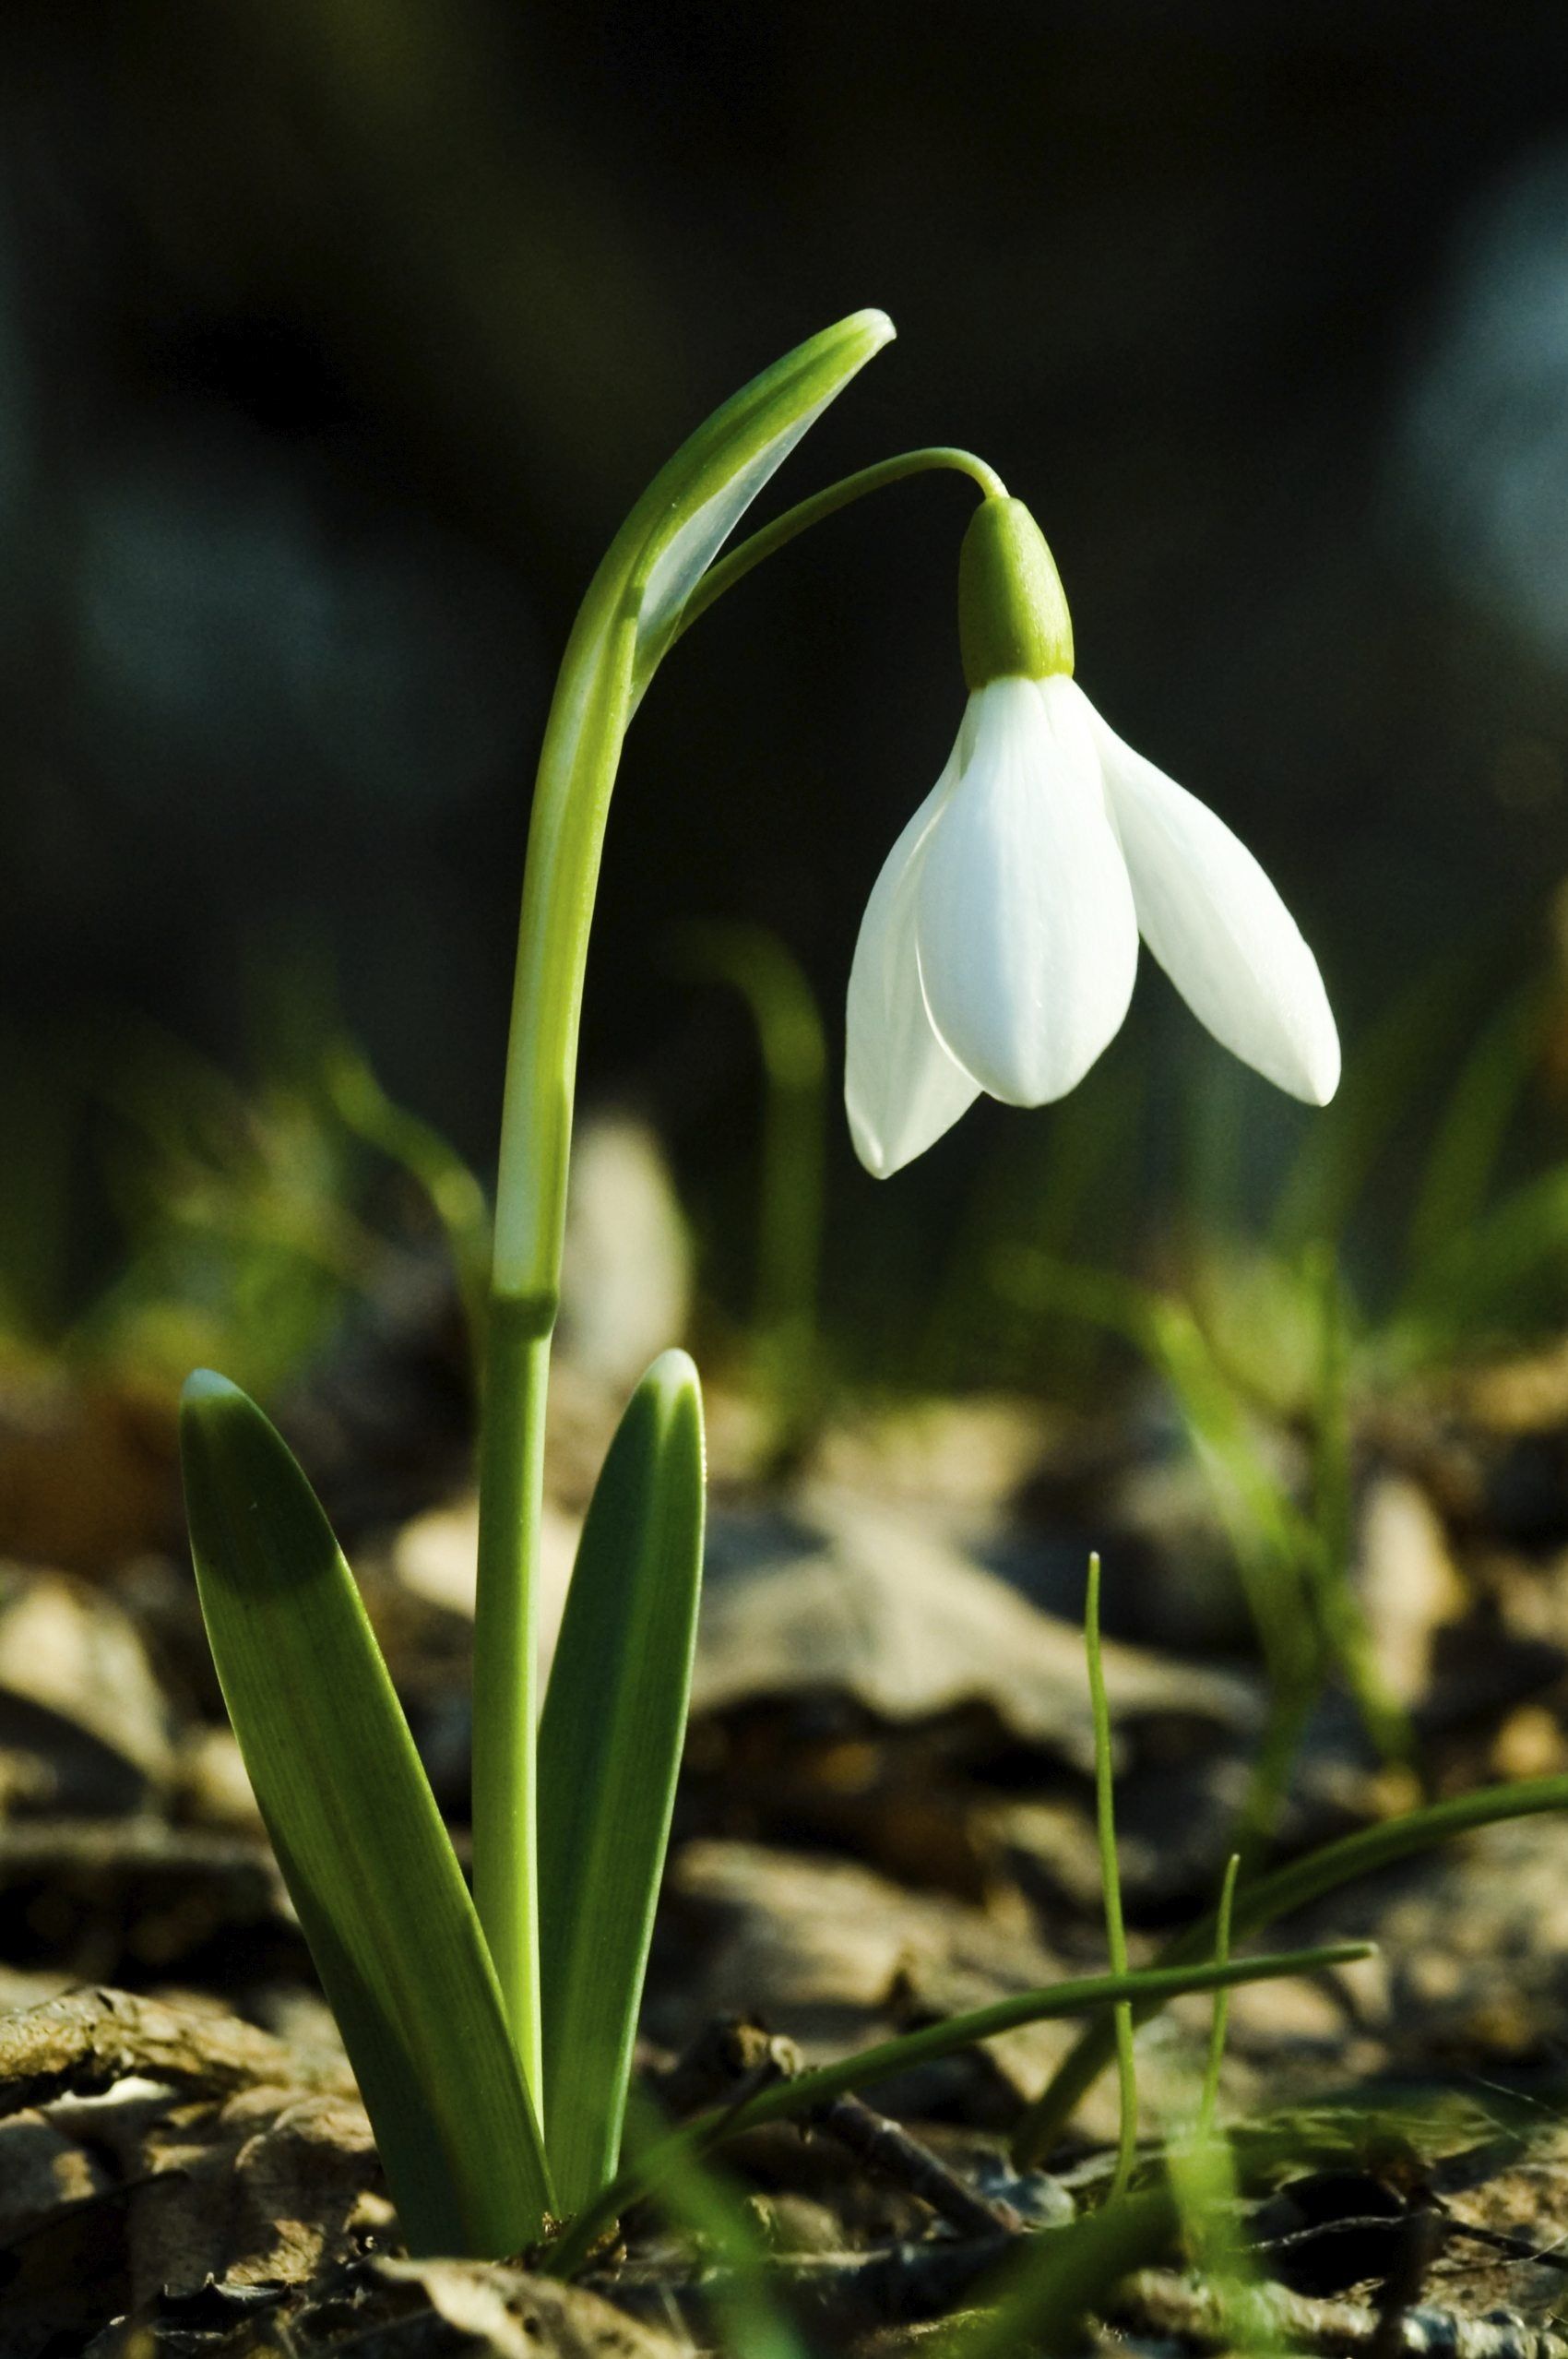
[610, 1756]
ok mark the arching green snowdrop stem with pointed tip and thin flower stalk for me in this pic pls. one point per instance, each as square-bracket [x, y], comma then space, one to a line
[657, 577]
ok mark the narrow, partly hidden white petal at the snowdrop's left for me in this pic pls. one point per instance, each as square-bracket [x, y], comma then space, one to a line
[902, 1089]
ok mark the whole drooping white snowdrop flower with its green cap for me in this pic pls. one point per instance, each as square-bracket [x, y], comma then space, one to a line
[1003, 935]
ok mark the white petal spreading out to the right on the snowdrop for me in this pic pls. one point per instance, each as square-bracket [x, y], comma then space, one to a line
[1220, 928]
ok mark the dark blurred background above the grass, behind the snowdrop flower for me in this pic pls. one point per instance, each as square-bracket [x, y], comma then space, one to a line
[338, 336]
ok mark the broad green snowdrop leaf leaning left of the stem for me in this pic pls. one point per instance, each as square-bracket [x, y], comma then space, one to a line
[360, 1839]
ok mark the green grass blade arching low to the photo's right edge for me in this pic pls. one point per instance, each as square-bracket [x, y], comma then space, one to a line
[1277, 1895]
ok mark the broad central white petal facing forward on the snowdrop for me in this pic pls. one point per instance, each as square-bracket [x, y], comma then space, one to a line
[1027, 931]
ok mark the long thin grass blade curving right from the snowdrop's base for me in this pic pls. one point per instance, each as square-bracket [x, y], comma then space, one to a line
[1093, 1995]
